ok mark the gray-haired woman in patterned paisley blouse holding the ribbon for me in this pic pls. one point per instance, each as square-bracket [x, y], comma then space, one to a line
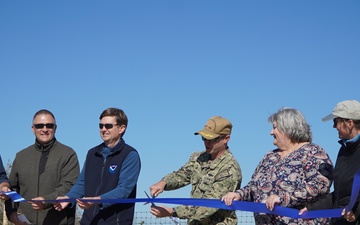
[295, 173]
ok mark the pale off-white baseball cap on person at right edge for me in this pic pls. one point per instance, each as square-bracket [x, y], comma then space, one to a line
[348, 109]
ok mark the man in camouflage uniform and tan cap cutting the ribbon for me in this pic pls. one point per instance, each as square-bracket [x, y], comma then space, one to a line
[212, 173]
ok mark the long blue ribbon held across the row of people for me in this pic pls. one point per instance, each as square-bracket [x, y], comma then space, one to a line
[216, 203]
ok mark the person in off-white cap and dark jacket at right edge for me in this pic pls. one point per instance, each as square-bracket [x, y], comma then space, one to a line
[346, 120]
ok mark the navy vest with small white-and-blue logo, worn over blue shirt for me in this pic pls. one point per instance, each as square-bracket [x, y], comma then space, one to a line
[101, 176]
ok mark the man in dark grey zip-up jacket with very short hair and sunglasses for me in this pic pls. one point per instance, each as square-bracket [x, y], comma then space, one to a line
[43, 171]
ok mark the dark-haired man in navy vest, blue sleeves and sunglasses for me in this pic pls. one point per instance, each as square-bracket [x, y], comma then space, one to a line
[111, 171]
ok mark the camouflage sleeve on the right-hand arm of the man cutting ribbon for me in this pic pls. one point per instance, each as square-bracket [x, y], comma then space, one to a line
[226, 177]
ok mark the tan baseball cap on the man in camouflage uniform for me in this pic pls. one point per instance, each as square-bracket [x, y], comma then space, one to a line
[215, 127]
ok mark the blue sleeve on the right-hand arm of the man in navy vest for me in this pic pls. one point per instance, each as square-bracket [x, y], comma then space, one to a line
[129, 175]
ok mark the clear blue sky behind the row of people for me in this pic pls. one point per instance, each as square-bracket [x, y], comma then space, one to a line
[171, 65]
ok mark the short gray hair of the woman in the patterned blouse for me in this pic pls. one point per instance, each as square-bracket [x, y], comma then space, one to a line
[293, 124]
